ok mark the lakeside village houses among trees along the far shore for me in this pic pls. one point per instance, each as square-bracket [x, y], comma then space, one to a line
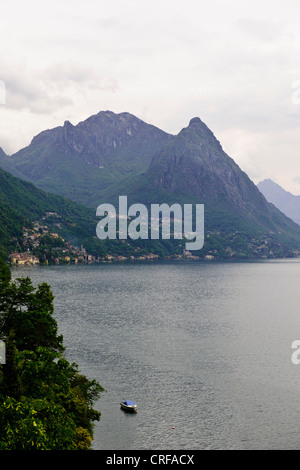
[42, 245]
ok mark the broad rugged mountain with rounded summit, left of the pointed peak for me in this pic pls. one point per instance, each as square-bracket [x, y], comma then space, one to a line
[82, 161]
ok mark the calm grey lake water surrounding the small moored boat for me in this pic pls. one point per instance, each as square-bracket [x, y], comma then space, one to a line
[203, 348]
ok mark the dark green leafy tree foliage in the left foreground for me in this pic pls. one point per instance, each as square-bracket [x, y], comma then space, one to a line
[45, 403]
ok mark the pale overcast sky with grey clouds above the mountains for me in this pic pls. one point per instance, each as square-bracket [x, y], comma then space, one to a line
[233, 63]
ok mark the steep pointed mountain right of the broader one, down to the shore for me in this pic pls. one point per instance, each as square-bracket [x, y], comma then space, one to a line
[194, 168]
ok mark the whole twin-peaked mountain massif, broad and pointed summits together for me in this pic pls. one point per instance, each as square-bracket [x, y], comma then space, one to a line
[111, 154]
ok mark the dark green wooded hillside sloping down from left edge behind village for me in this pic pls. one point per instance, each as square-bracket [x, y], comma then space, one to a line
[21, 203]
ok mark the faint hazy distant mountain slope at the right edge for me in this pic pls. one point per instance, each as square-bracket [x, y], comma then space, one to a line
[286, 202]
